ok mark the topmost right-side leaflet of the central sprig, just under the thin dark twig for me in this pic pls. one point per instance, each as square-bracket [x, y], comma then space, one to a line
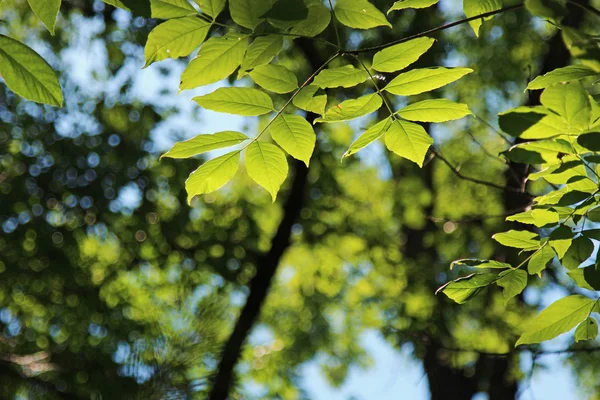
[400, 56]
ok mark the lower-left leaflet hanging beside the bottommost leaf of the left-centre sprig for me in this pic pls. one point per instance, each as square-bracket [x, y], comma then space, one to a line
[212, 175]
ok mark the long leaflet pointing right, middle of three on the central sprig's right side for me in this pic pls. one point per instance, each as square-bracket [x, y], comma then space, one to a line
[424, 80]
